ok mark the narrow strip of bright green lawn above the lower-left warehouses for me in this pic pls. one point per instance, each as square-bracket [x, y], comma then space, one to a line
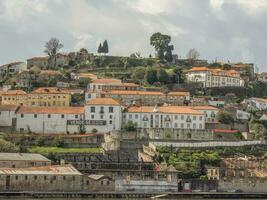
[47, 150]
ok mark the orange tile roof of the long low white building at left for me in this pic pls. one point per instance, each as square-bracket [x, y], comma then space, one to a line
[51, 110]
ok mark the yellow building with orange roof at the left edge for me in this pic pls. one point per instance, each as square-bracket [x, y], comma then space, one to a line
[44, 96]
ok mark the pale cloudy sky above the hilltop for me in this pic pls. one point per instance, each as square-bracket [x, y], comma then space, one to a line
[222, 30]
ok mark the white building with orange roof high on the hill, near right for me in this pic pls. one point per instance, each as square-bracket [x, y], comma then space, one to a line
[215, 77]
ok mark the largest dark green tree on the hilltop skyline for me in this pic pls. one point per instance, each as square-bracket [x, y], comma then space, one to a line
[160, 43]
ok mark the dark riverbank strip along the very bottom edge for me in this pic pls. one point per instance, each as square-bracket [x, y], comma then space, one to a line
[118, 195]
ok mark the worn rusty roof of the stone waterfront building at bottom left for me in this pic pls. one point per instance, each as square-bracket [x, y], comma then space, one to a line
[53, 170]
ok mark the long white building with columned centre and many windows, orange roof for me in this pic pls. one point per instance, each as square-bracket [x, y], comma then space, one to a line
[175, 117]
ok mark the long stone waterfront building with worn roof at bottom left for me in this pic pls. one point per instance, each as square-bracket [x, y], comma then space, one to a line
[43, 178]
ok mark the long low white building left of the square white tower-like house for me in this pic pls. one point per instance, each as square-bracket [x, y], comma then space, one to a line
[57, 120]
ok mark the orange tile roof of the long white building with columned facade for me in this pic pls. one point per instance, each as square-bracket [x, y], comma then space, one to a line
[164, 109]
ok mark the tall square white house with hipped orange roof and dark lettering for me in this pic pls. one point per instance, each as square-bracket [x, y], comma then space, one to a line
[103, 115]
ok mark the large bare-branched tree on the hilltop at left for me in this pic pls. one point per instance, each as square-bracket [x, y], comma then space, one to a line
[52, 48]
